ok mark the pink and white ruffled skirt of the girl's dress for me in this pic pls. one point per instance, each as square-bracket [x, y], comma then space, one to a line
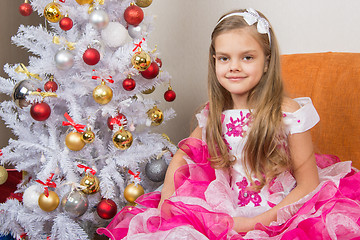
[202, 206]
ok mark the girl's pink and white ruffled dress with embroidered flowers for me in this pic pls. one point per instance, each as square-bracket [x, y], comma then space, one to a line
[206, 200]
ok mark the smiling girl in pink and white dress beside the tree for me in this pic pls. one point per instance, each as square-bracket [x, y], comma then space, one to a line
[248, 171]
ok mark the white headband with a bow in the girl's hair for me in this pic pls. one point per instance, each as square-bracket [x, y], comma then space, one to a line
[251, 16]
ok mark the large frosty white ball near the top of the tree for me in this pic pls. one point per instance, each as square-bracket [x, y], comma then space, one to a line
[114, 35]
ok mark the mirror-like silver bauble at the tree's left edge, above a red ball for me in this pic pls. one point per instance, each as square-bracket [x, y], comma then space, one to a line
[21, 90]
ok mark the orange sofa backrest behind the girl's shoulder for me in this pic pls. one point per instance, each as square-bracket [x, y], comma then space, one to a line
[332, 80]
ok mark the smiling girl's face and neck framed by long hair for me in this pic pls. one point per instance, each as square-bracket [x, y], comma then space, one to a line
[240, 63]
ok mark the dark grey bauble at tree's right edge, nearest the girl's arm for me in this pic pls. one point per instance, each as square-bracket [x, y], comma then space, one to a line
[155, 169]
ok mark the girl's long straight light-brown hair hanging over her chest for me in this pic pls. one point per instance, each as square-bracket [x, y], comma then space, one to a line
[262, 155]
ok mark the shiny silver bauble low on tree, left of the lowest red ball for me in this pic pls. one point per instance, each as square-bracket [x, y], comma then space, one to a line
[75, 203]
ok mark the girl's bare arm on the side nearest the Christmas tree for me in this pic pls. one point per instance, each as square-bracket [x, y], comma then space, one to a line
[176, 162]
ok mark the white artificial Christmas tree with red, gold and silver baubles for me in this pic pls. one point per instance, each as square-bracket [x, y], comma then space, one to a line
[85, 129]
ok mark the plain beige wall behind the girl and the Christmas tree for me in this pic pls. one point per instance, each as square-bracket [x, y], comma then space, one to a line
[182, 34]
